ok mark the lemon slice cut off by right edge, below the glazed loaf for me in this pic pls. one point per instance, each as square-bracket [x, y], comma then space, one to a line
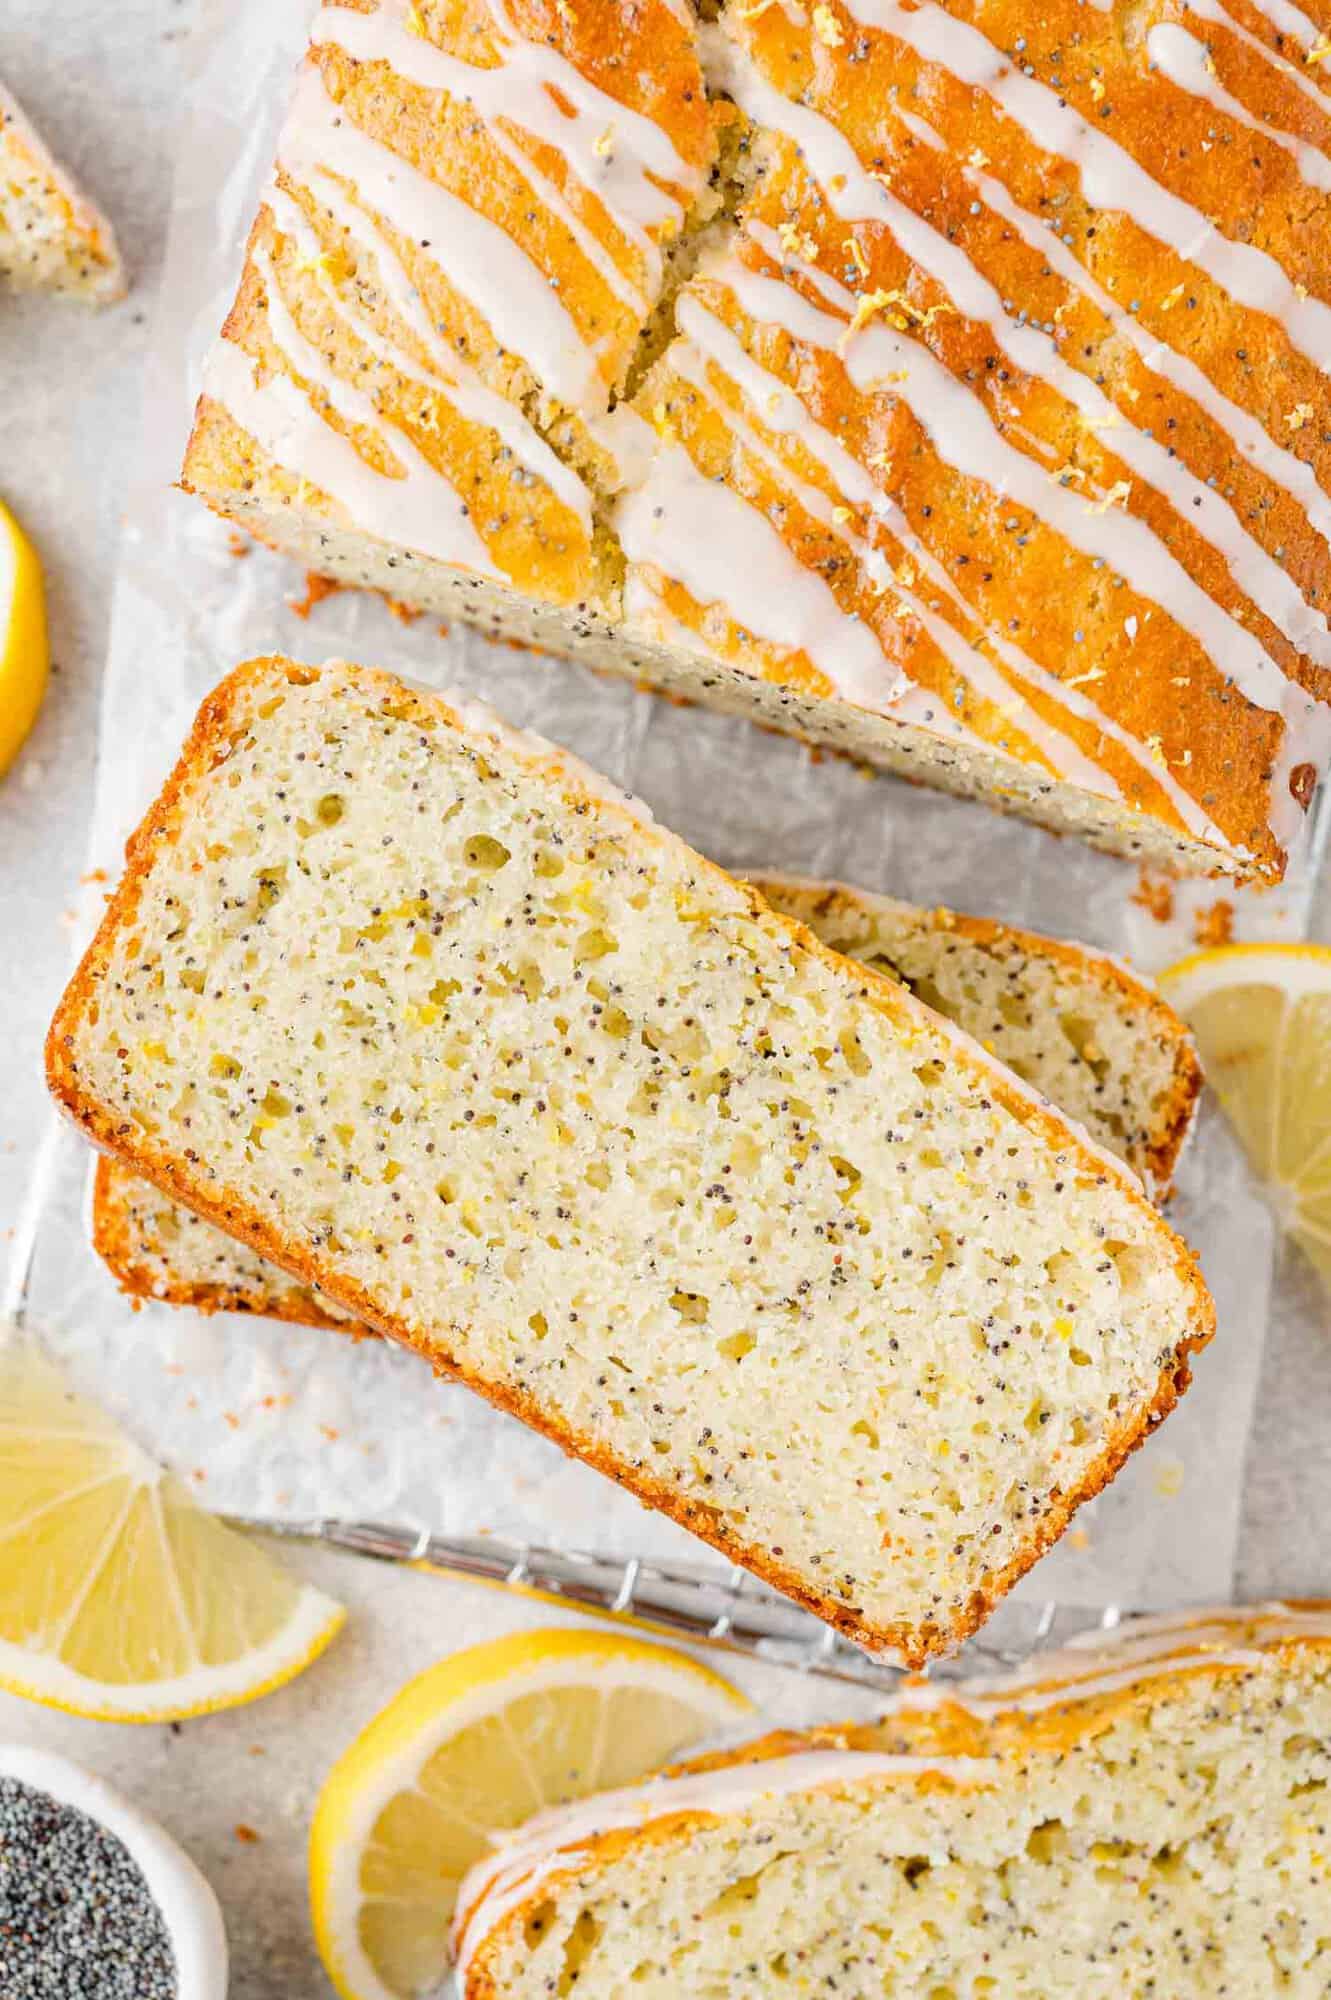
[1262, 1015]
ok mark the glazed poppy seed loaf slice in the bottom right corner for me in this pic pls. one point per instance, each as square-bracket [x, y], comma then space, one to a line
[1140, 1819]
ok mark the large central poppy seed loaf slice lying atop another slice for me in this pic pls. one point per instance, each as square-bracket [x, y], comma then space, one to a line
[431, 1017]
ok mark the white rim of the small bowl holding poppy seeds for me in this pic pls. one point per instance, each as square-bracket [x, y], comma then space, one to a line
[181, 1893]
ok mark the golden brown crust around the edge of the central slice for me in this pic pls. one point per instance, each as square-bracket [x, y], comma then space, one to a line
[205, 749]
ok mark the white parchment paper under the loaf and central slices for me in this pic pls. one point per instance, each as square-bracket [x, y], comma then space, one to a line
[273, 1419]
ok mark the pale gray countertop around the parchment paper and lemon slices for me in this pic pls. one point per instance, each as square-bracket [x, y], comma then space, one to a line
[71, 395]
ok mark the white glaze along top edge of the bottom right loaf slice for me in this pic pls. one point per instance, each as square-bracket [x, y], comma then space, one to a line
[1098, 1665]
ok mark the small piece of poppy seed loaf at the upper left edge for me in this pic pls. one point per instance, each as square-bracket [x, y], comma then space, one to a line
[51, 235]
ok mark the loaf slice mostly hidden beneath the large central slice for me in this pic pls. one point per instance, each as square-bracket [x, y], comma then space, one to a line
[1080, 1029]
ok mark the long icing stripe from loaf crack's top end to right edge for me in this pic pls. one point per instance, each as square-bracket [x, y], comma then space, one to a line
[858, 195]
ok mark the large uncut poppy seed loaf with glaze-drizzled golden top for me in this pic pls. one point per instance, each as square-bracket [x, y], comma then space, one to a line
[938, 383]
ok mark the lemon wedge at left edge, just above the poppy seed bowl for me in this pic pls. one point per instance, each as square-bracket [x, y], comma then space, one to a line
[119, 1597]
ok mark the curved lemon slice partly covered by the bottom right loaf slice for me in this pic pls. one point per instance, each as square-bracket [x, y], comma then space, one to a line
[473, 1747]
